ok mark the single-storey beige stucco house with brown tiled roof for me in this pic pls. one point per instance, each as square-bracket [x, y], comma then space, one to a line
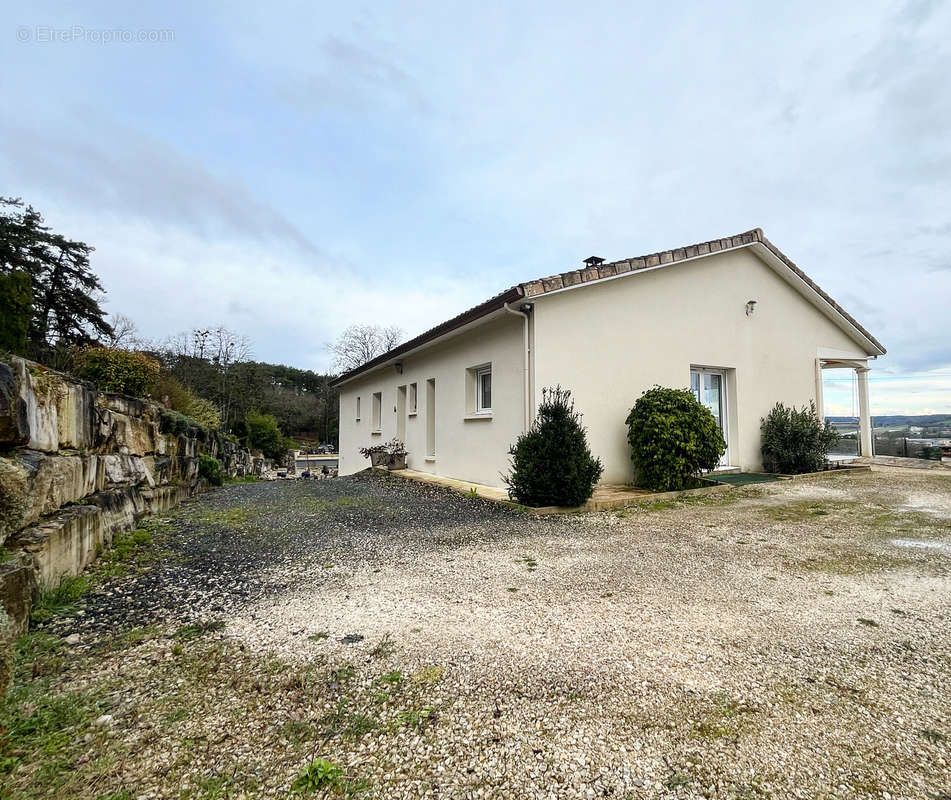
[733, 319]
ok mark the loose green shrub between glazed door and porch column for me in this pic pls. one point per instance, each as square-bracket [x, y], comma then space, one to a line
[794, 441]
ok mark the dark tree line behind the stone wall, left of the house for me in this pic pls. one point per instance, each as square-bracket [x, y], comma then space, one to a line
[51, 311]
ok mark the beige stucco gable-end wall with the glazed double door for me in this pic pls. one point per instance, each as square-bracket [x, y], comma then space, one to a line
[610, 341]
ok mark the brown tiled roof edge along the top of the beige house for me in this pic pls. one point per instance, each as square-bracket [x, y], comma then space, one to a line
[577, 277]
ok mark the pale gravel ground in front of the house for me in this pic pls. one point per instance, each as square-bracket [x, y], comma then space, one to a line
[786, 640]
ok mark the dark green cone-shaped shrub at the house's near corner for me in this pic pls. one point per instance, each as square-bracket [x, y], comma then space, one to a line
[551, 462]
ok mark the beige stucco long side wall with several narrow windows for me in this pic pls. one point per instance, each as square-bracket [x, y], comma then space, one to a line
[473, 450]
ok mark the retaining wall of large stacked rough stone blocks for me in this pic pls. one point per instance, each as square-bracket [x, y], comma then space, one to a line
[78, 466]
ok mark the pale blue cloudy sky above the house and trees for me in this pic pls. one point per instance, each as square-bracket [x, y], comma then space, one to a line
[288, 169]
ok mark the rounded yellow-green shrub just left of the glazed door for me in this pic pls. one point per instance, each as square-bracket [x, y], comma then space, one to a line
[673, 437]
